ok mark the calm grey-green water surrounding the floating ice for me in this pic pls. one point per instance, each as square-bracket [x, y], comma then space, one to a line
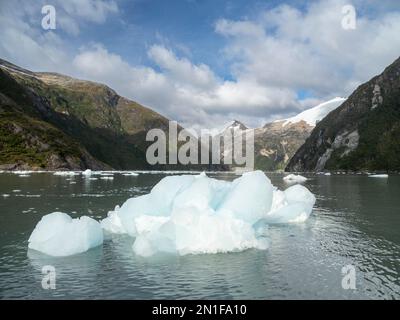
[356, 221]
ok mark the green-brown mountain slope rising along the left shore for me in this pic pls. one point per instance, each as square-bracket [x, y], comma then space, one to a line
[52, 121]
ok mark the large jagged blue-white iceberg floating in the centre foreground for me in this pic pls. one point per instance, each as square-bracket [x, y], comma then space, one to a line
[190, 214]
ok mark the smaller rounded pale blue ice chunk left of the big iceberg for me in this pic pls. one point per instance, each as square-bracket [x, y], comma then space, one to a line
[57, 234]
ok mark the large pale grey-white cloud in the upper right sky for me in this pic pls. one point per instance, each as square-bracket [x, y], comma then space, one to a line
[287, 47]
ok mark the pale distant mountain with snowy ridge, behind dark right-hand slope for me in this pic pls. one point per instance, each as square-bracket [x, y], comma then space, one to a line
[278, 141]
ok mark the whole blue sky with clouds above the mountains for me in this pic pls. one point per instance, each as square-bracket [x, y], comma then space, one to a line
[204, 63]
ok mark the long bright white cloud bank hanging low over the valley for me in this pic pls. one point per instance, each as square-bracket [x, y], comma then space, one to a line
[181, 90]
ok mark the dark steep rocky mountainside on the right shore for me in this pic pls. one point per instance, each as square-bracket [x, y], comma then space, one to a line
[362, 134]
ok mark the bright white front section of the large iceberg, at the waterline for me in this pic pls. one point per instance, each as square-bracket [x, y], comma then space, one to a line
[194, 233]
